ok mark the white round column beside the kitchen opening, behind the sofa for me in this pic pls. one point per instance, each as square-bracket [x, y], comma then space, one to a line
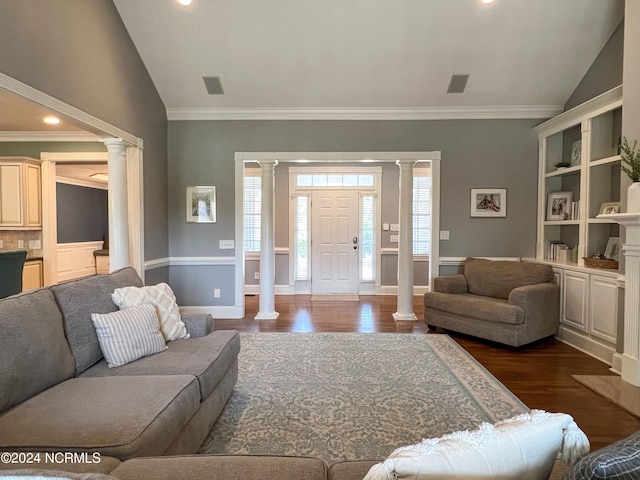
[118, 204]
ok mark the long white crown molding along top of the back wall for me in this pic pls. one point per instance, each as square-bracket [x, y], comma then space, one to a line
[427, 113]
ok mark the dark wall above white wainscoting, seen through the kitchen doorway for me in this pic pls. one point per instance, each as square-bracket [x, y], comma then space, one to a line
[82, 213]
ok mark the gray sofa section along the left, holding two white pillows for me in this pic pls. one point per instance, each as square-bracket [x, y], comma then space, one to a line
[57, 394]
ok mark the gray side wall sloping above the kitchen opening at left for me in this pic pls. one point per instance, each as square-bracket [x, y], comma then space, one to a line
[79, 52]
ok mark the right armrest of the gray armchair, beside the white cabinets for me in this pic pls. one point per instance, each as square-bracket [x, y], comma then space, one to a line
[540, 302]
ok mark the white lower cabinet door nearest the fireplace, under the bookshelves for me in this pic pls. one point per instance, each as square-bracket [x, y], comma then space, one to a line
[603, 311]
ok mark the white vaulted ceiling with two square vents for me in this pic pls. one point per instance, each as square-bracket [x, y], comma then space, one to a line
[297, 58]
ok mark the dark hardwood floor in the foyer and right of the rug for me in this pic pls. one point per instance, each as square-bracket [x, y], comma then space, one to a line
[538, 374]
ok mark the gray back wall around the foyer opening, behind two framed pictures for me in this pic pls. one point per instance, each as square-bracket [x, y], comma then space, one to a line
[475, 153]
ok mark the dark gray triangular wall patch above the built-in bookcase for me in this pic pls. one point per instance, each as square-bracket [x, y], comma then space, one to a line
[604, 74]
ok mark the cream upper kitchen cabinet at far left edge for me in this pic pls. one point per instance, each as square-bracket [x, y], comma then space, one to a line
[20, 194]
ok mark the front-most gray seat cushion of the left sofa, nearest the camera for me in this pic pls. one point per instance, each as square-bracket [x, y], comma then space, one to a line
[119, 416]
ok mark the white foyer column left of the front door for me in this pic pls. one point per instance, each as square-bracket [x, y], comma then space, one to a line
[267, 243]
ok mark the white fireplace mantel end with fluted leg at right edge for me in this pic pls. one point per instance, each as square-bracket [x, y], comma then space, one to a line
[631, 250]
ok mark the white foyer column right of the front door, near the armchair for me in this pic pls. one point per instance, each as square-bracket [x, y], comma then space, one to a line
[405, 243]
